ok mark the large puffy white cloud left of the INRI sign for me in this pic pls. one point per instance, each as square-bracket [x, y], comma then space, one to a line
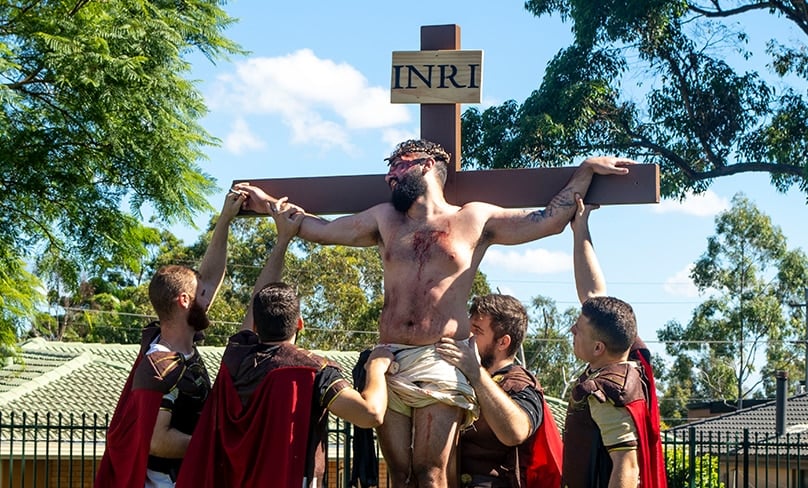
[321, 101]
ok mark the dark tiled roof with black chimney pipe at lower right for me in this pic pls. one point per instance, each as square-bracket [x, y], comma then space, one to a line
[760, 420]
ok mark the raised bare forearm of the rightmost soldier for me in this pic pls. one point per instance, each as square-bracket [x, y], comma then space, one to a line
[589, 279]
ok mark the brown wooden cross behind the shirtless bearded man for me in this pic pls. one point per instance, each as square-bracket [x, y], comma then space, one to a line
[510, 188]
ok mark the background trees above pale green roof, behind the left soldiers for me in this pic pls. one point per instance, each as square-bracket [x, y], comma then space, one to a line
[340, 290]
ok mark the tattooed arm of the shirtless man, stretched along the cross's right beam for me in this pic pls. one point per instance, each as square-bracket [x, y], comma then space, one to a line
[509, 226]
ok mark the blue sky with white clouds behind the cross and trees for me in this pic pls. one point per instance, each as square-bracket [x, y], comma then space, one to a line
[312, 99]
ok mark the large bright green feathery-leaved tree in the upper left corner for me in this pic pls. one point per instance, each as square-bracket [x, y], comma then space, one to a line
[98, 122]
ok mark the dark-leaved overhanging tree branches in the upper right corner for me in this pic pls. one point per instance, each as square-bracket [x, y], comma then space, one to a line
[666, 82]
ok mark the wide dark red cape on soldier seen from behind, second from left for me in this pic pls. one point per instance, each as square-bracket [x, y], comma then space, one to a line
[262, 444]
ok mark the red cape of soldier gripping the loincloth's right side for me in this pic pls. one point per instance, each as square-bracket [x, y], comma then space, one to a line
[544, 470]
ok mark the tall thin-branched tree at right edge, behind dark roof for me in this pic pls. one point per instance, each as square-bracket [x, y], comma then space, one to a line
[744, 326]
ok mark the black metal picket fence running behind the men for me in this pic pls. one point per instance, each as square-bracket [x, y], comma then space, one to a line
[45, 451]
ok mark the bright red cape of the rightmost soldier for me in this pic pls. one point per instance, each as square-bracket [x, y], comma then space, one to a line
[646, 418]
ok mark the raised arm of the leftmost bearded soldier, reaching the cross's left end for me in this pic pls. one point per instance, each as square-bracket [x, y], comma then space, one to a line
[211, 269]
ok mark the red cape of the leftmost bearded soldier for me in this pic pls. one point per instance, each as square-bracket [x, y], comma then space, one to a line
[129, 437]
